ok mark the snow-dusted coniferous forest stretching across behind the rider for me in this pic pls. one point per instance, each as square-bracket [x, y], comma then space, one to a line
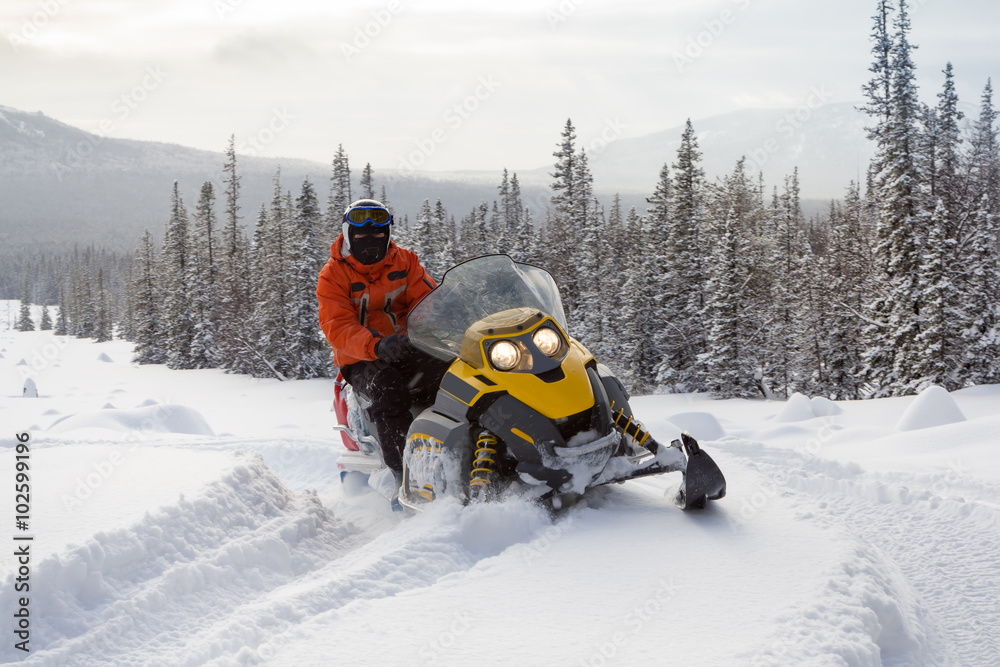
[720, 286]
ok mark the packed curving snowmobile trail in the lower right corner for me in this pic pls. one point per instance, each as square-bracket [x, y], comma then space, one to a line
[946, 546]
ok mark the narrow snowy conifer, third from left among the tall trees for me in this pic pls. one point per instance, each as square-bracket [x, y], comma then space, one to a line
[203, 280]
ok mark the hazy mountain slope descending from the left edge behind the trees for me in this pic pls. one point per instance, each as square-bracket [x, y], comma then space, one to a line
[61, 186]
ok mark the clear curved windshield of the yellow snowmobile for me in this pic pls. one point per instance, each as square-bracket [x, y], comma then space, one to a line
[473, 291]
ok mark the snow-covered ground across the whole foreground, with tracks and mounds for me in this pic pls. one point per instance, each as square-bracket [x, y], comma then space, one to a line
[194, 517]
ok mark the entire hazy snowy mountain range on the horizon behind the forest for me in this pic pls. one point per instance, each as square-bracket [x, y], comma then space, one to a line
[61, 186]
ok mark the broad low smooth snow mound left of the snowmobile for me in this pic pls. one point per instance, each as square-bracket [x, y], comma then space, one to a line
[153, 419]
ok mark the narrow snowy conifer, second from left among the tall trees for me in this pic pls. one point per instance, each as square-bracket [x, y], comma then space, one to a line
[177, 316]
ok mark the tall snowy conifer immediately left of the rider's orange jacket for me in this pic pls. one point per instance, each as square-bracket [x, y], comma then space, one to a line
[308, 350]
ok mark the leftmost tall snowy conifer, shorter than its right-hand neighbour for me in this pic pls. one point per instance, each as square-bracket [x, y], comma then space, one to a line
[148, 295]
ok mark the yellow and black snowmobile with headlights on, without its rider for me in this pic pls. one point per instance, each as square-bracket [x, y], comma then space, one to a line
[523, 408]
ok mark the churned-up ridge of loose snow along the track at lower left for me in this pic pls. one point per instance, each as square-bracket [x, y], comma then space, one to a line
[161, 578]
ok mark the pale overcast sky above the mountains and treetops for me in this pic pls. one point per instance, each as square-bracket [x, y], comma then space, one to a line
[451, 84]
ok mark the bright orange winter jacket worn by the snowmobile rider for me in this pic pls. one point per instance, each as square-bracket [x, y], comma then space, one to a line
[360, 303]
